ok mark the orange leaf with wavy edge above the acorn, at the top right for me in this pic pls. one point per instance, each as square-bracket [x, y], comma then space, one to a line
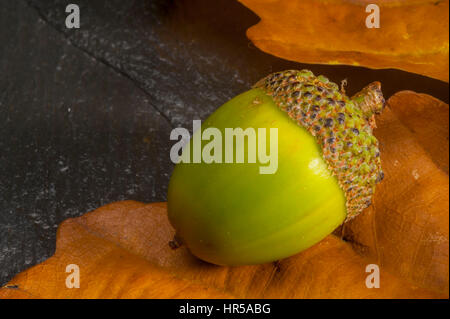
[413, 35]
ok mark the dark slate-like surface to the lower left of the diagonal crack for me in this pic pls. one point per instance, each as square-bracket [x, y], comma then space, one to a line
[74, 135]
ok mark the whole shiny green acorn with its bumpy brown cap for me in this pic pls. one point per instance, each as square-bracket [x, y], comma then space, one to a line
[328, 164]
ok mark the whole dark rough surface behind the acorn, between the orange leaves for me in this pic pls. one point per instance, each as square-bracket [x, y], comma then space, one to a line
[85, 114]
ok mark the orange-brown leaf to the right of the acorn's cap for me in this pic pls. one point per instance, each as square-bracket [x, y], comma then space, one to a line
[406, 229]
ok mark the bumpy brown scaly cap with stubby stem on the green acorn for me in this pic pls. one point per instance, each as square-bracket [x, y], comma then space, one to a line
[342, 126]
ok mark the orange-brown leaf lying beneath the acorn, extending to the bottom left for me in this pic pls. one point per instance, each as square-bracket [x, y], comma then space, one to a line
[122, 251]
